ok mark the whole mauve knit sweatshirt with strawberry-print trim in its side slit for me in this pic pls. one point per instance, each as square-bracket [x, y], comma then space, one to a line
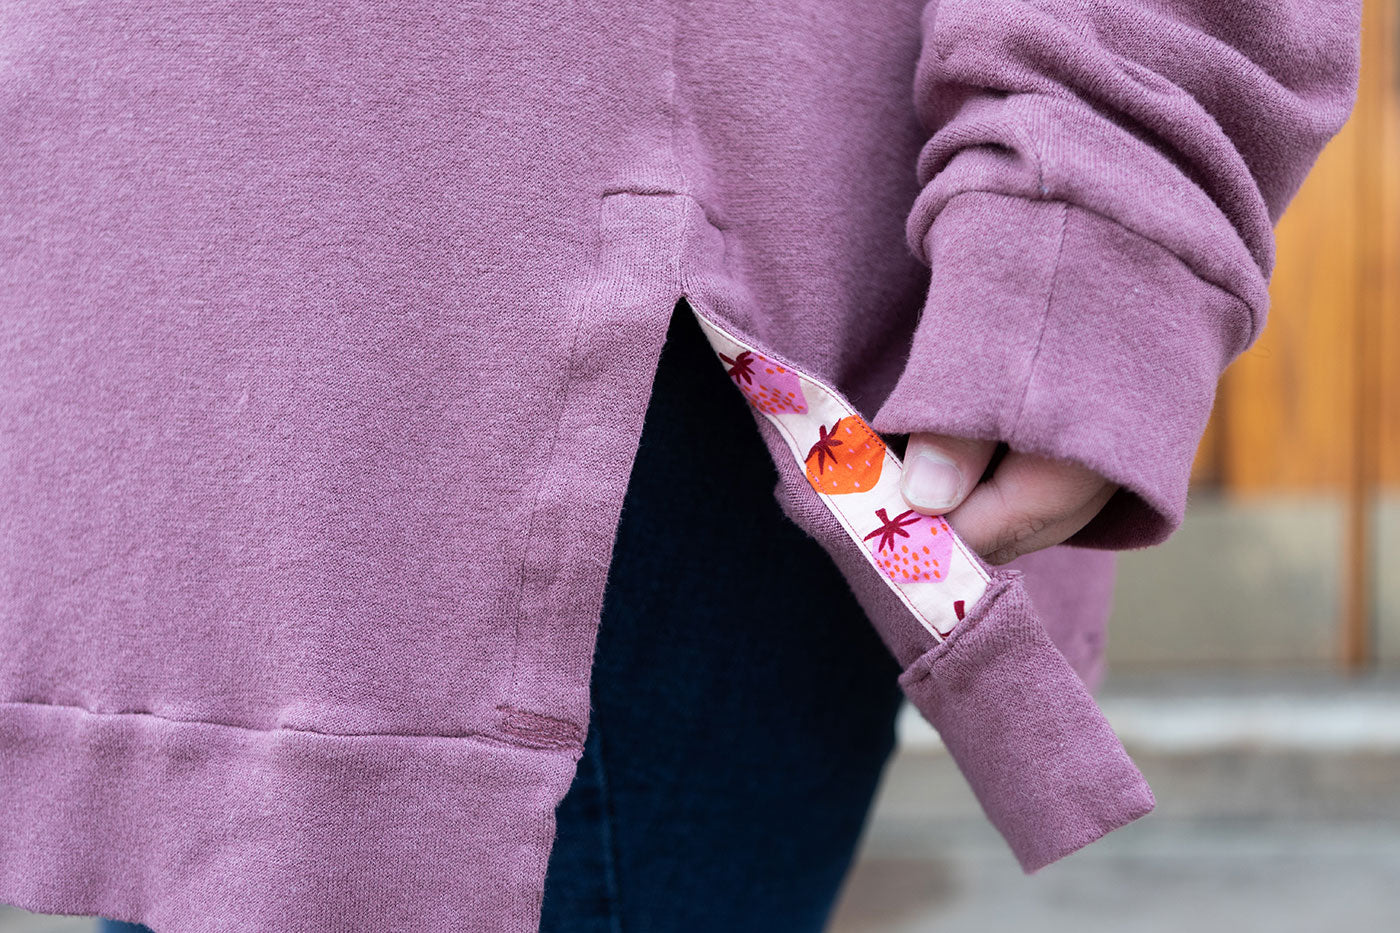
[327, 333]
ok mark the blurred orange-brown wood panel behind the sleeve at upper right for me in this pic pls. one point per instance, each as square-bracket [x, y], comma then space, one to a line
[1322, 385]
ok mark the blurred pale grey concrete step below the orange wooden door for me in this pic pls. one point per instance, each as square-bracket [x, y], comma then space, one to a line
[1279, 809]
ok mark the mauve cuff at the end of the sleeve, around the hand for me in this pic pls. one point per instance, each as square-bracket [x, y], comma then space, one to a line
[1065, 334]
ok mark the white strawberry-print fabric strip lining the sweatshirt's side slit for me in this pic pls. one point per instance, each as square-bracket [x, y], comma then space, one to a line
[857, 477]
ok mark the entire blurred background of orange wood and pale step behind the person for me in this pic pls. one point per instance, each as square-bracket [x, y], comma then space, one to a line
[1255, 658]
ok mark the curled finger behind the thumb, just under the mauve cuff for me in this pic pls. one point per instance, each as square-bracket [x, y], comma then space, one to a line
[1027, 505]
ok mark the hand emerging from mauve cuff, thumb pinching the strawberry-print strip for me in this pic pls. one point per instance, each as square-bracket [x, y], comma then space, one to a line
[1028, 502]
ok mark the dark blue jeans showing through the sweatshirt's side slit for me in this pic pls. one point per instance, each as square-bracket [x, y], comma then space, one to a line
[743, 707]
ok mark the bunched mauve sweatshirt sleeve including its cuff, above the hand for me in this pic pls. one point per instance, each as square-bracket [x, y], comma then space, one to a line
[1097, 208]
